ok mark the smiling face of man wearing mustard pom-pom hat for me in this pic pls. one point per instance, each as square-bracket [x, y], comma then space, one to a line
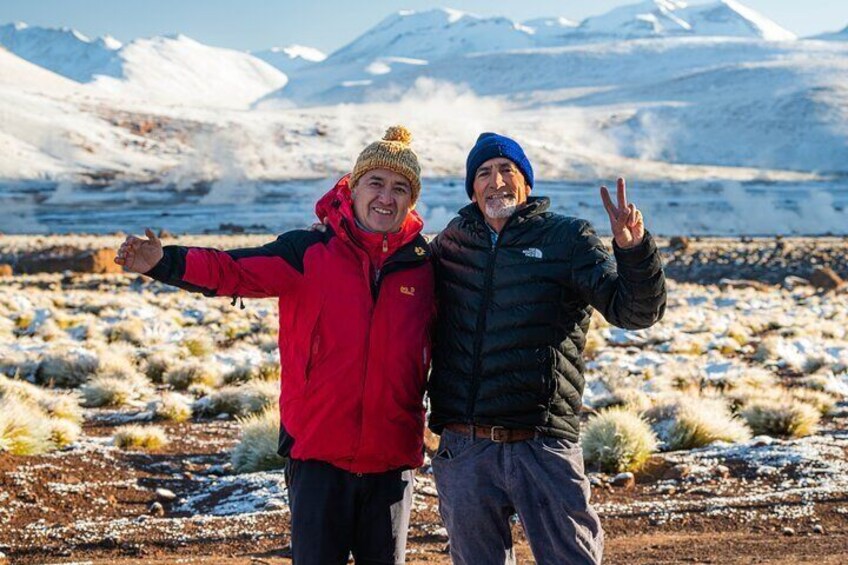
[381, 200]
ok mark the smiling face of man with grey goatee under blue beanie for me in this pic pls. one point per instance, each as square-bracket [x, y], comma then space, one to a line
[499, 189]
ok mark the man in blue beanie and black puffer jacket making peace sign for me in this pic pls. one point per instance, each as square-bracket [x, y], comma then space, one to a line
[516, 285]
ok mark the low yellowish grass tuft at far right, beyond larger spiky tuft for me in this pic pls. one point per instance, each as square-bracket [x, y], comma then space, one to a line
[786, 417]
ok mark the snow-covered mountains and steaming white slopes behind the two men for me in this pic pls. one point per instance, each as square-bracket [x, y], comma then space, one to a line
[659, 91]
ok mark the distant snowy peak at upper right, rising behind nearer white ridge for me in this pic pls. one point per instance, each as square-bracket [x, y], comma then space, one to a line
[656, 18]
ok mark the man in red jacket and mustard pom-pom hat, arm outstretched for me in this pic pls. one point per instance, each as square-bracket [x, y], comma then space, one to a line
[355, 304]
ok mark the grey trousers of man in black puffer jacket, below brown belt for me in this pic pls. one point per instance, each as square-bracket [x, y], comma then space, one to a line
[482, 484]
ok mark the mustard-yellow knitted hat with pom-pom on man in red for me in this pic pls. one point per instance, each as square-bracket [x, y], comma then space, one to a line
[393, 153]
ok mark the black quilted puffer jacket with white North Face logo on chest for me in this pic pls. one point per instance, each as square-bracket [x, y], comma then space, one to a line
[513, 318]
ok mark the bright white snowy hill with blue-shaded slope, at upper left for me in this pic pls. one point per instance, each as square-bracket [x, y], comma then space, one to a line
[170, 69]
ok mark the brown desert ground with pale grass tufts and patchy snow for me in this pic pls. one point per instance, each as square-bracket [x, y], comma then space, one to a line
[741, 391]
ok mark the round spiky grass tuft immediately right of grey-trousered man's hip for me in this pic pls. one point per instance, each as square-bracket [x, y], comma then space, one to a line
[618, 440]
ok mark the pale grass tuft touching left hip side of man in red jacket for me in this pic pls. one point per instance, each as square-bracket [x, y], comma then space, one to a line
[257, 450]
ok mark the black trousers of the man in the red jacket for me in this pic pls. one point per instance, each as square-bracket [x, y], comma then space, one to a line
[335, 513]
